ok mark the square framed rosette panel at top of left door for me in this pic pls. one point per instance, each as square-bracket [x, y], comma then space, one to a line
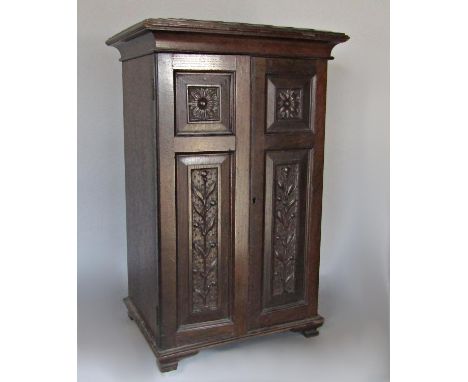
[204, 103]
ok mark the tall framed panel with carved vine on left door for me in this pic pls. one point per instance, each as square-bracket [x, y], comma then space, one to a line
[204, 229]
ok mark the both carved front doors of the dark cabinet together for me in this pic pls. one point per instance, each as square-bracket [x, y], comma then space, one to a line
[240, 197]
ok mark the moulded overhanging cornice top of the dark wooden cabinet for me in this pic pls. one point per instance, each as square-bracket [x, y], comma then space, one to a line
[184, 35]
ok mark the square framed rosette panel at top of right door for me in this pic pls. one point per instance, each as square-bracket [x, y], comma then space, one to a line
[290, 103]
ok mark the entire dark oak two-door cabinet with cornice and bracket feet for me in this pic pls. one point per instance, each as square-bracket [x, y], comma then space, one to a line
[224, 135]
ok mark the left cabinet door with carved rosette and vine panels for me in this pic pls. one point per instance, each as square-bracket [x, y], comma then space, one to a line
[203, 155]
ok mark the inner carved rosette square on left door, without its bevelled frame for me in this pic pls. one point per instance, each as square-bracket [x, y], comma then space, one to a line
[203, 103]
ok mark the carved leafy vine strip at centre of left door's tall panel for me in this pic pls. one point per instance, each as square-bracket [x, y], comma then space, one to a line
[204, 239]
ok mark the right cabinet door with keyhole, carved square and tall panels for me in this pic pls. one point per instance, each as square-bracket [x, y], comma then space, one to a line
[288, 109]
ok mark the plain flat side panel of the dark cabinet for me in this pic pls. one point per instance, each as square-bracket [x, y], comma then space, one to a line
[140, 185]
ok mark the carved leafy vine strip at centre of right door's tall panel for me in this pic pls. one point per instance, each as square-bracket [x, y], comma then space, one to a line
[285, 228]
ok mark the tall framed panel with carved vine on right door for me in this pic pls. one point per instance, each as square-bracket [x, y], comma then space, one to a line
[284, 260]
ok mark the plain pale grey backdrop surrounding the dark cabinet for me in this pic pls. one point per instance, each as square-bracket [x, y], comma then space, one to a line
[354, 285]
